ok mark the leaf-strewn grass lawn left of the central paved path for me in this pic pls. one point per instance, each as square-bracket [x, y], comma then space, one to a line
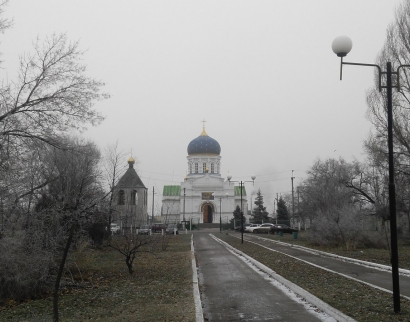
[159, 290]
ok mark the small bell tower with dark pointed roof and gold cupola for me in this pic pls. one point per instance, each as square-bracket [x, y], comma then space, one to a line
[130, 199]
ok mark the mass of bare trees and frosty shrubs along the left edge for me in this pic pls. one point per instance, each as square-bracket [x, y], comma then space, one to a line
[53, 187]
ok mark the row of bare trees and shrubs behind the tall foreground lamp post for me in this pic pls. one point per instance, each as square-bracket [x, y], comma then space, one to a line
[349, 201]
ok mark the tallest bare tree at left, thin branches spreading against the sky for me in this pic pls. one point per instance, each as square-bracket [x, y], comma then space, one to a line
[51, 96]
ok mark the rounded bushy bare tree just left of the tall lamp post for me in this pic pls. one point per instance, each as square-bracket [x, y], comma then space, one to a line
[332, 203]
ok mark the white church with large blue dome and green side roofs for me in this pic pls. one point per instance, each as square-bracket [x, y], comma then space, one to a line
[204, 196]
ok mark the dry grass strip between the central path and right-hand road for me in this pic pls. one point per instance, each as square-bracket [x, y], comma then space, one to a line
[361, 302]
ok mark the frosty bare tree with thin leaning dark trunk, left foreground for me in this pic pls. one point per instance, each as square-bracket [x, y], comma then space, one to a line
[75, 194]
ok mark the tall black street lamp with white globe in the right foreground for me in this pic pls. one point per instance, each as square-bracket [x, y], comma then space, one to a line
[341, 47]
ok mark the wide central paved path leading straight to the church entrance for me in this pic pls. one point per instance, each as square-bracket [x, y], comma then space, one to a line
[232, 291]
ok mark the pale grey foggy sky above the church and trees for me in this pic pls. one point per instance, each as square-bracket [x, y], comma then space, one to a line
[261, 73]
